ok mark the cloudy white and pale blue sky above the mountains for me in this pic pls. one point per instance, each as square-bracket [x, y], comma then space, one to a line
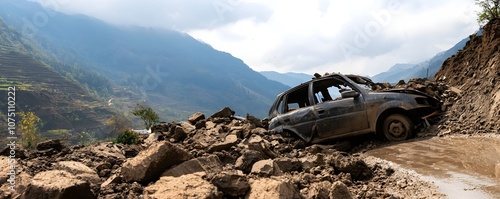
[298, 35]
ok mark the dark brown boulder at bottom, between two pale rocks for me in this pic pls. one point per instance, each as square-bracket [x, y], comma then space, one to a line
[231, 183]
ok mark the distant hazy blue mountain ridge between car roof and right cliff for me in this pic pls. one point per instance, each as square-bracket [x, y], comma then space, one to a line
[408, 71]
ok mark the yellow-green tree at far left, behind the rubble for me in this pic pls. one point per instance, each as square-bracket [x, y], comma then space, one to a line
[29, 127]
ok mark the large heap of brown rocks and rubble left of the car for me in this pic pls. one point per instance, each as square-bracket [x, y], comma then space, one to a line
[221, 156]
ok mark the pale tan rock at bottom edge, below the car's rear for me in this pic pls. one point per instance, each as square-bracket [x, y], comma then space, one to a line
[272, 188]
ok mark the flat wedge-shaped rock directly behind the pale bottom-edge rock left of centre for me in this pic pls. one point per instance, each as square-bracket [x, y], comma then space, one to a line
[209, 164]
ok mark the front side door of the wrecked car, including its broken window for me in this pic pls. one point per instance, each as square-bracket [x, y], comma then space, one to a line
[339, 115]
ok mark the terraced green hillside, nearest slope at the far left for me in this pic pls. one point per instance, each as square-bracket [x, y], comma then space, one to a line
[63, 105]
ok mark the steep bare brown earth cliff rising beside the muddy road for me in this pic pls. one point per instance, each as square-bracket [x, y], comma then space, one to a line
[475, 70]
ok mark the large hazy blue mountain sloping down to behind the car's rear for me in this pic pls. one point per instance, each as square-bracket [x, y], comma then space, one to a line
[168, 70]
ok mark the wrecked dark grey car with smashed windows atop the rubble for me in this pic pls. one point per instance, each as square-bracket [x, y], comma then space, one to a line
[336, 105]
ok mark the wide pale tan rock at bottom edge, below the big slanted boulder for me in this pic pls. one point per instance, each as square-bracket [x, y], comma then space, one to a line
[186, 186]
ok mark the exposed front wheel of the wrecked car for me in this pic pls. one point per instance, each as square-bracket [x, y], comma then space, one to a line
[398, 127]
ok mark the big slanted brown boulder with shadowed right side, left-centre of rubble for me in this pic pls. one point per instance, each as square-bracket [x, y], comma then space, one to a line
[150, 163]
